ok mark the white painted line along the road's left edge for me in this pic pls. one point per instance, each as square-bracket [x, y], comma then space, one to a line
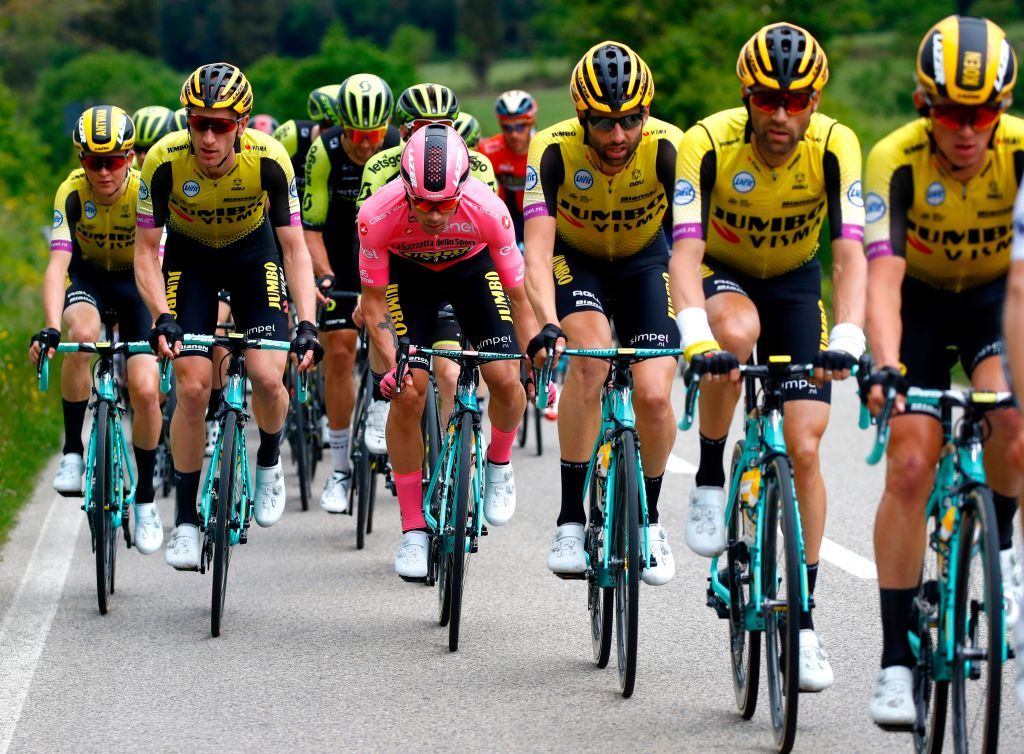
[25, 629]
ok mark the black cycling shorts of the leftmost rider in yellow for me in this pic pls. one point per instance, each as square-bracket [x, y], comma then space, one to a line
[115, 296]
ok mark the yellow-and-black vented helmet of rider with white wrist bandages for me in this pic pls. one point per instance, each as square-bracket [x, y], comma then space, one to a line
[783, 57]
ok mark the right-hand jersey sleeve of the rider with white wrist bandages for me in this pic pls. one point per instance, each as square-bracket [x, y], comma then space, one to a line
[843, 187]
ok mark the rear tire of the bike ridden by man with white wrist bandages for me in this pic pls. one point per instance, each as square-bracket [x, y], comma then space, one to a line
[745, 647]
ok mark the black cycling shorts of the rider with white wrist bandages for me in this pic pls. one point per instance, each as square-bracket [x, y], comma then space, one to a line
[793, 317]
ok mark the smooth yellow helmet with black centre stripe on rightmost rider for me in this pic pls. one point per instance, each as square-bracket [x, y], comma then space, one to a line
[967, 60]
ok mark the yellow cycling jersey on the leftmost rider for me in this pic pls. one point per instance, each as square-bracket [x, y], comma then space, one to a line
[102, 235]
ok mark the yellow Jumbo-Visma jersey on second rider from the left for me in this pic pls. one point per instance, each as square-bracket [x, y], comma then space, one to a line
[218, 213]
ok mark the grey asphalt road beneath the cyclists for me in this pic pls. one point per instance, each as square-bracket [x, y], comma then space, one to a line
[324, 648]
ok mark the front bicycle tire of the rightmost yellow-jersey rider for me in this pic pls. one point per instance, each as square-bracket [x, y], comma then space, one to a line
[977, 629]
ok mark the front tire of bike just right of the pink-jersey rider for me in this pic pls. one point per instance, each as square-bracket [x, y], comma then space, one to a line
[626, 553]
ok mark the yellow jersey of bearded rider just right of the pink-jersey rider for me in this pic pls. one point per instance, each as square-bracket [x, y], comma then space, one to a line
[607, 217]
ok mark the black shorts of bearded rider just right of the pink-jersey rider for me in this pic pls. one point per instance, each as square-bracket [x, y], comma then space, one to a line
[632, 292]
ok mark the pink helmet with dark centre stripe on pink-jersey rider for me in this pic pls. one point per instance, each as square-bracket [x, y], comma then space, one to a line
[436, 163]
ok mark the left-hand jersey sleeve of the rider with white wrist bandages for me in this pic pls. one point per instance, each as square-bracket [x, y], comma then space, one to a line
[696, 171]
